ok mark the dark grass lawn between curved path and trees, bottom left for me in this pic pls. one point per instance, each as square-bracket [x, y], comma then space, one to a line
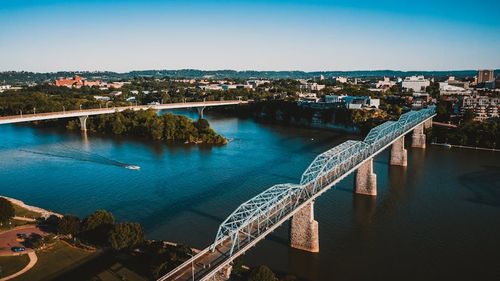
[54, 261]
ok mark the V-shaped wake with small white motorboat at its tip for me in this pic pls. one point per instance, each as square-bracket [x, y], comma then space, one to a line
[67, 152]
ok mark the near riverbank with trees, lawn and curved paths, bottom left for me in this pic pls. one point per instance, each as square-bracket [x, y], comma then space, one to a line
[61, 256]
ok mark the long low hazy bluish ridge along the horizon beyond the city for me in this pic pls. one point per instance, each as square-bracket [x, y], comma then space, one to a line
[13, 77]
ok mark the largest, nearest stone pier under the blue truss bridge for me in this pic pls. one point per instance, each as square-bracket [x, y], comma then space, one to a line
[304, 230]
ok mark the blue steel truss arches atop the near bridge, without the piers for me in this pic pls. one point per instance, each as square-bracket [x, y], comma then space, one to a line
[255, 216]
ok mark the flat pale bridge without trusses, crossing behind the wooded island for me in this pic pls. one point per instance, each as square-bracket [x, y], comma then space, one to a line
[83, 114]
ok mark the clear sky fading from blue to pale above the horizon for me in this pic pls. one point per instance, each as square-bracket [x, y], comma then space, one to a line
[43, 35]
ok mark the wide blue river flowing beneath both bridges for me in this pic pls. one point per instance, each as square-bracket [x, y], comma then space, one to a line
[437, 219]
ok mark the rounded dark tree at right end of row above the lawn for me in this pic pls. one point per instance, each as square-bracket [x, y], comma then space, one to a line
[125, 235]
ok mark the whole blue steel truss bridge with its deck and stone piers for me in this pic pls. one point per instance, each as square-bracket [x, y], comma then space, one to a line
[253, 220]
